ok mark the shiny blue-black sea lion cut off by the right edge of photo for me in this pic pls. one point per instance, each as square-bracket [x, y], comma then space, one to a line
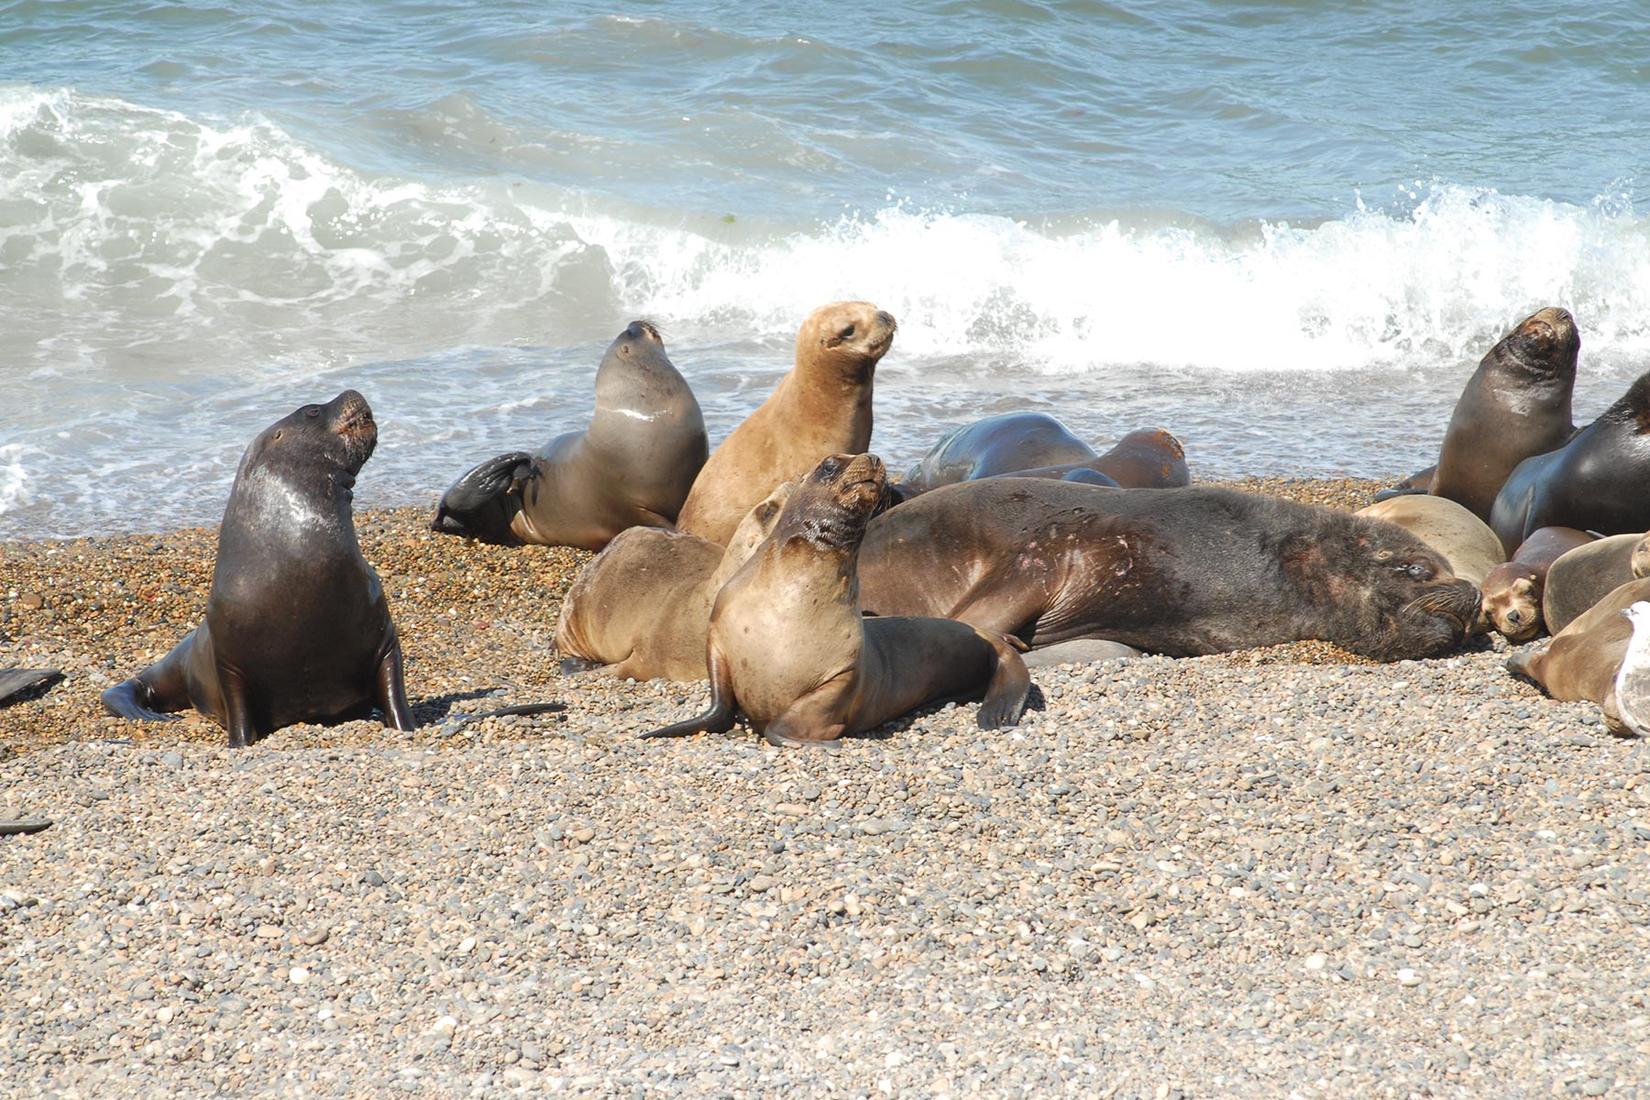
[1595, 482]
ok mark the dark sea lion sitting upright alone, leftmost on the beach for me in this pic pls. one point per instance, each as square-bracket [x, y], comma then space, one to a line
[298, 629]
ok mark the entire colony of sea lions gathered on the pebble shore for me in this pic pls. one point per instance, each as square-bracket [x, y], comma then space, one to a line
[823, 599]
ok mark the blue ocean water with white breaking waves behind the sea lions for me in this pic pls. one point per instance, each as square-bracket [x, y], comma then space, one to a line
[1280, 228]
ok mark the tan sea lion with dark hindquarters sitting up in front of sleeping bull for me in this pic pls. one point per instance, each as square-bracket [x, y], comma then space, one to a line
[791, 649]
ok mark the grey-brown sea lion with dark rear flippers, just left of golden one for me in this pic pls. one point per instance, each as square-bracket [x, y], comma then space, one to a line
[631, 468]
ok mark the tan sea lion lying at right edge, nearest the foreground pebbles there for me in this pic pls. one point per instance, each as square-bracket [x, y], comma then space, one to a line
[1583, 660]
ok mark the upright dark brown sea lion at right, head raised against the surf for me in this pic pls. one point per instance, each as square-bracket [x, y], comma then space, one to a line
[1516, 405]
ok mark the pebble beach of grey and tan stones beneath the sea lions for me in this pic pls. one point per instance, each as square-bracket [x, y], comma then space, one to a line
[1258, 875]
